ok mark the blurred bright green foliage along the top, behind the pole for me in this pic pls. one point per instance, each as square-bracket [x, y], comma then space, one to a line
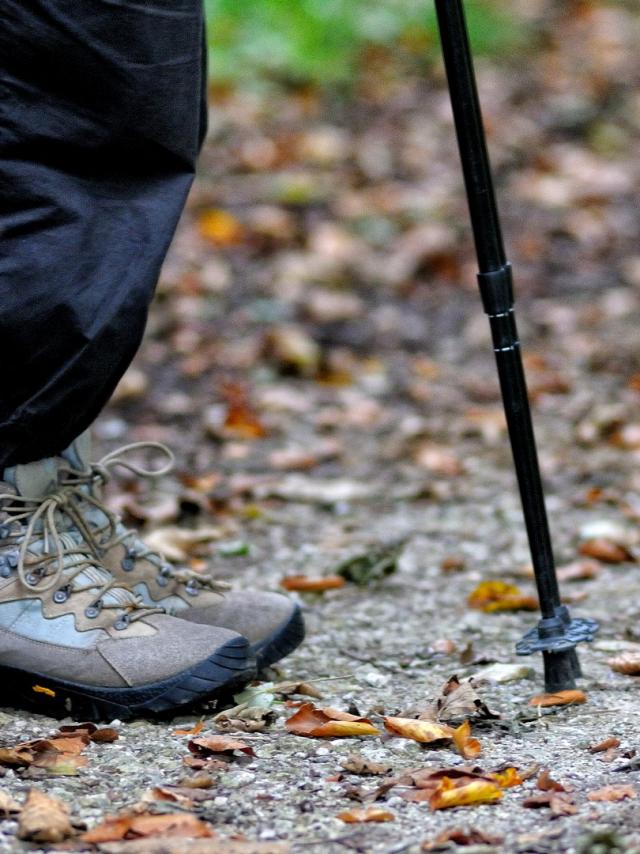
[322, 41]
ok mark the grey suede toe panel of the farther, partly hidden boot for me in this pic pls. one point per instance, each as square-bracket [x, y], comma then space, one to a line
[253, 614]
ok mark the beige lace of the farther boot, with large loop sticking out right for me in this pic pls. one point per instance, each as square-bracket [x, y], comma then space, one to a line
[84, 484]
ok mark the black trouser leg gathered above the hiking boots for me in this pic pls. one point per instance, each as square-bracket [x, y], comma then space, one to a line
[101, 118]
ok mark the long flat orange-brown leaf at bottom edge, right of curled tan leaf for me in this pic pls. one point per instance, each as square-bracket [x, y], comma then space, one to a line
[116, 828]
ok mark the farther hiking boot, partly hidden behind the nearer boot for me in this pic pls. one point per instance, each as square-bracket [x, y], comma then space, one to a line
[272, 622]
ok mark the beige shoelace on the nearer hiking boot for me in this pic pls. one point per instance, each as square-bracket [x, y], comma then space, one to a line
[62, 558]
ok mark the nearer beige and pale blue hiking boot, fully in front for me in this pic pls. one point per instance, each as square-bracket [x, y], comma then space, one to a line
[73, 640]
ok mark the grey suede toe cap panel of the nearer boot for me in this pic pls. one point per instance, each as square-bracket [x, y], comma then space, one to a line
[179, 646]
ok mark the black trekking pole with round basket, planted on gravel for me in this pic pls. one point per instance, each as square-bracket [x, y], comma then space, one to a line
[556, 634]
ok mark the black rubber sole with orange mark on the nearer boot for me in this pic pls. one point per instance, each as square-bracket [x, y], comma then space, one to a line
[232, 666]
